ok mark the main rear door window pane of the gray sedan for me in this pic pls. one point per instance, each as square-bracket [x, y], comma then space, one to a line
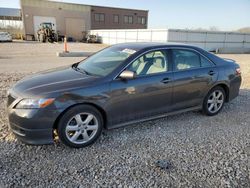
[185, 59]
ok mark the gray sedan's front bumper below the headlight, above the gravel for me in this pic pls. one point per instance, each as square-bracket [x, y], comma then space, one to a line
[33, 126]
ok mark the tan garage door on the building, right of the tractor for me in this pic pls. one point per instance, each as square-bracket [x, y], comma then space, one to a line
[74, 28]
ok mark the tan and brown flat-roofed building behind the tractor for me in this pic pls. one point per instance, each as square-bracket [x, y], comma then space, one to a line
[73, 20]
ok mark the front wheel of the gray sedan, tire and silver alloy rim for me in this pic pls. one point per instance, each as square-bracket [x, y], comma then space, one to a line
[80, 126]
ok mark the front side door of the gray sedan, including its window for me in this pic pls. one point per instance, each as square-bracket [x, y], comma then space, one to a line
[148, 94]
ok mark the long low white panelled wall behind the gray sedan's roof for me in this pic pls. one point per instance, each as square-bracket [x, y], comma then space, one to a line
[219, 41]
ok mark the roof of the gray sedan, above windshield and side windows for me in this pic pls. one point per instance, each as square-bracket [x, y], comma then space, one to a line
[143, 45]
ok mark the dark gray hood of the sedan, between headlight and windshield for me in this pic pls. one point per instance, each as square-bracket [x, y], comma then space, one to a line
[52, 81]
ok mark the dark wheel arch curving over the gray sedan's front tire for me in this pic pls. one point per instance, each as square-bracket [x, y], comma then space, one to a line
[101, 110]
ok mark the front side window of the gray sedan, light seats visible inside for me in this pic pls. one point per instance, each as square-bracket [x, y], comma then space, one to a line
[150, 63]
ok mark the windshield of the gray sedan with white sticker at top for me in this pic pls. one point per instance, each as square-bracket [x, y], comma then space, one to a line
[105, 61]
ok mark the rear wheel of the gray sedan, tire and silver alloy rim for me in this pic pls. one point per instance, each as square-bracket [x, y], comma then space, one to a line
[214, 101]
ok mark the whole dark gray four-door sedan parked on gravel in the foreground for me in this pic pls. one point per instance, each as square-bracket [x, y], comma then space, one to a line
[120, 85]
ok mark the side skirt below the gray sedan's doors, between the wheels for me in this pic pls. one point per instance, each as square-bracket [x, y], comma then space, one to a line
[154, 117]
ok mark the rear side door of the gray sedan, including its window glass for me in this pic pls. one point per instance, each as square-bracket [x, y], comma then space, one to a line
[193, 75]
